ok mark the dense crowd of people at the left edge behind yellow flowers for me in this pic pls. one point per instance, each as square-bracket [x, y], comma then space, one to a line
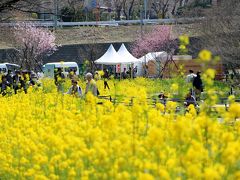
[15, 81]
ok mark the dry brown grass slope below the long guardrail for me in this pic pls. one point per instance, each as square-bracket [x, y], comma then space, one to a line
[89, 35]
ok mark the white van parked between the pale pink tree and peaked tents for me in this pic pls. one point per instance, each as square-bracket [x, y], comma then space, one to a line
[48, 69]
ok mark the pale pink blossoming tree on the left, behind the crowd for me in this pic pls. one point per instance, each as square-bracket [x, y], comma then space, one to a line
[32, 44]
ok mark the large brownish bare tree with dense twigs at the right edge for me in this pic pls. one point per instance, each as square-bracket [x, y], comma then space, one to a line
[220, 32]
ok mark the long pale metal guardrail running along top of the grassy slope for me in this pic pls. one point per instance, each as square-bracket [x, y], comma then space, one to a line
[109, 23]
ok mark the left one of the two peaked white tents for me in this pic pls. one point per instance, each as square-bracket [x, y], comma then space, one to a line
[110, 57]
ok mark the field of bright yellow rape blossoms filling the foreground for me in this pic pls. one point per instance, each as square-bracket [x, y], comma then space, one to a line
[47, 135]
